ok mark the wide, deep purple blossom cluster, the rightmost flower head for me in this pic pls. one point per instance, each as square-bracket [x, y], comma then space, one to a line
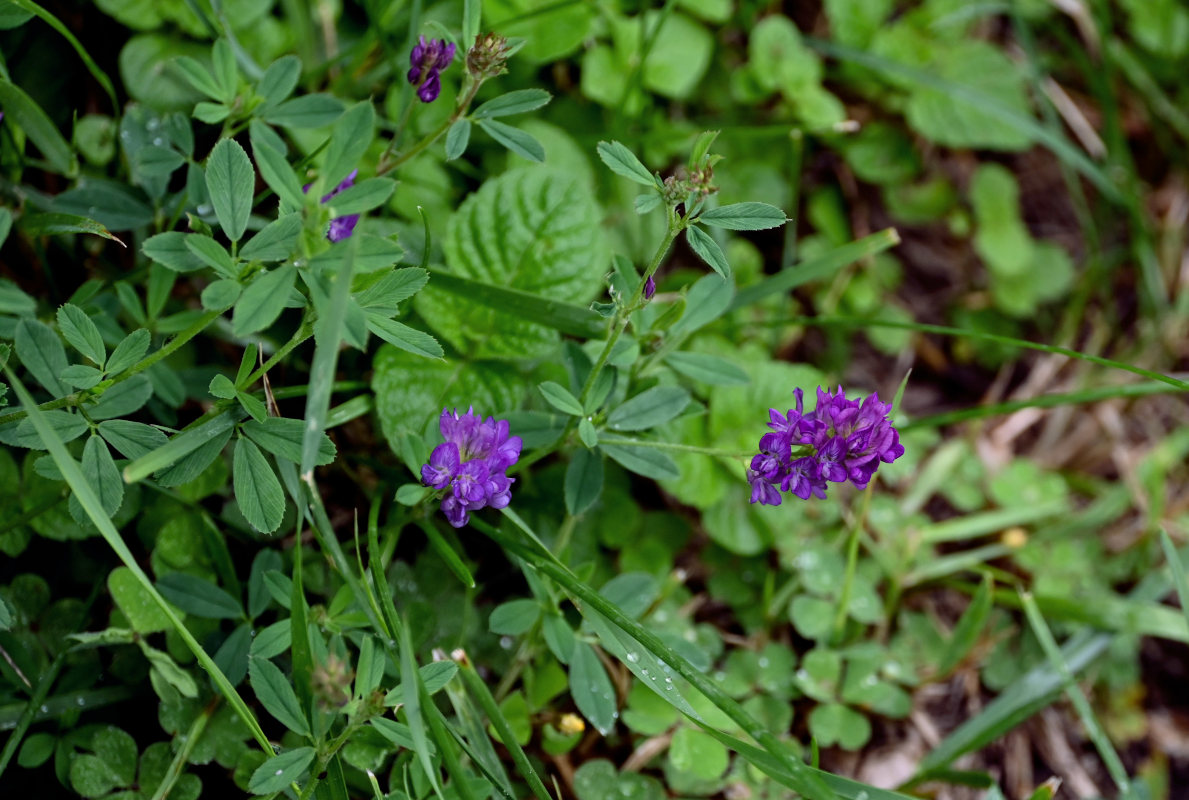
[840, 440]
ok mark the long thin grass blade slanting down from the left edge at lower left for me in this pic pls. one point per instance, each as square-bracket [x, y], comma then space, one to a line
[95, 509]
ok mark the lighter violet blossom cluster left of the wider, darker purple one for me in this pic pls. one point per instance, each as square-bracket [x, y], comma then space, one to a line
[471, 464]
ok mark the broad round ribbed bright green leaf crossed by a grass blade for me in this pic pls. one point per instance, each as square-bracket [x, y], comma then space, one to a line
[550, 250]
